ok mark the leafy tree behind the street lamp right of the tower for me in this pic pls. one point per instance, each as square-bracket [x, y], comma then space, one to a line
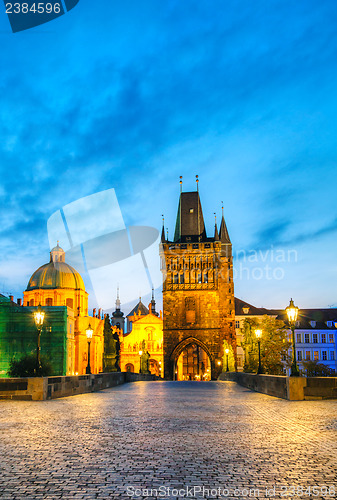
[274, 345]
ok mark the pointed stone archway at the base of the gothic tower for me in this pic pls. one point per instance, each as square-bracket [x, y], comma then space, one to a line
[191, 360]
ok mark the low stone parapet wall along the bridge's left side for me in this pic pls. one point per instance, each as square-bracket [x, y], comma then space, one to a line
[40, 389]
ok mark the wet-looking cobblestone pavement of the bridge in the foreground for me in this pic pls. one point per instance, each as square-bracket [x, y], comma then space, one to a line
[158, 435]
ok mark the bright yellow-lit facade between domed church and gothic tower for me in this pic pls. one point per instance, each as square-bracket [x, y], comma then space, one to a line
[146, 336]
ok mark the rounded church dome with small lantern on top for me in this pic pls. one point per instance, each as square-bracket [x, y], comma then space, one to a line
[56, 274]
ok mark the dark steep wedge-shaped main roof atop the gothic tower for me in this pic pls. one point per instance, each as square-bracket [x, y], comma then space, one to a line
[190, 224]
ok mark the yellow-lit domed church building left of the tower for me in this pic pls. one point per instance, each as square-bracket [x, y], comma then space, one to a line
[58, 284]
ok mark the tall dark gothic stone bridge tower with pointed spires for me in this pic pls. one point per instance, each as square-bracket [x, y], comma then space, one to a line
[198, 295]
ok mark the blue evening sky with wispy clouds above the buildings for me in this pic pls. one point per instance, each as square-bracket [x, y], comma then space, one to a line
[132, 96]
